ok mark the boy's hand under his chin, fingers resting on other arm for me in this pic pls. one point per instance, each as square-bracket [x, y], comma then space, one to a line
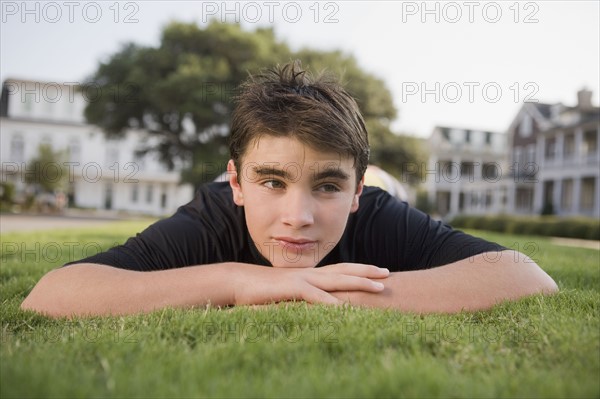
[255, 285]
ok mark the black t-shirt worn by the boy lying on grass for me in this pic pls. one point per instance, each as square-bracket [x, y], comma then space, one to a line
[385, 232]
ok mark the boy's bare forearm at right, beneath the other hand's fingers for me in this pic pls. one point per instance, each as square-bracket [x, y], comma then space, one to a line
[476, 283]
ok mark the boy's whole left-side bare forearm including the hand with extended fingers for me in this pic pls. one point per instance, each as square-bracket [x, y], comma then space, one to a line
[89, 289]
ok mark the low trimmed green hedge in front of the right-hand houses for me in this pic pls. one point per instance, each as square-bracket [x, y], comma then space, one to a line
[540, 226]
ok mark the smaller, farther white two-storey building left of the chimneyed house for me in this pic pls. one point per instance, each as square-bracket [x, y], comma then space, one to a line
[467, 172]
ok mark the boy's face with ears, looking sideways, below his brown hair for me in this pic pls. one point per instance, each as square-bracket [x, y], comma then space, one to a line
[296, 200]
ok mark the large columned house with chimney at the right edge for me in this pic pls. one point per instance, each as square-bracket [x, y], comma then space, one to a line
[556, 158]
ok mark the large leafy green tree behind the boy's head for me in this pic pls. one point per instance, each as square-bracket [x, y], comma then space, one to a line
[181, 92]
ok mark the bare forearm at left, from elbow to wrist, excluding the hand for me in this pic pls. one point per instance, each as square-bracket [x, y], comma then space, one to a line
[90, 289]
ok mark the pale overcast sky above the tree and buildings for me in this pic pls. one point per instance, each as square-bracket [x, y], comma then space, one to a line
[465, 64]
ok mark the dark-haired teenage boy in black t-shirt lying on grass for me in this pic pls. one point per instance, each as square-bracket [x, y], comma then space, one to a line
[295, 201]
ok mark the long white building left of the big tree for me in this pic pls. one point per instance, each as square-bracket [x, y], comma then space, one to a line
[102, 173]
